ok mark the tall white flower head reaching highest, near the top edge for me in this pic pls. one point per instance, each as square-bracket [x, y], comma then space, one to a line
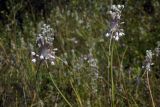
[115, 31]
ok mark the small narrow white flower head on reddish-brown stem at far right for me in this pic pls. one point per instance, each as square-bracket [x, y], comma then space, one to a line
[148, 61]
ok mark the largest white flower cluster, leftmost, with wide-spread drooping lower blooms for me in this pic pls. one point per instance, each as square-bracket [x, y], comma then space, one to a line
[45, 42]
